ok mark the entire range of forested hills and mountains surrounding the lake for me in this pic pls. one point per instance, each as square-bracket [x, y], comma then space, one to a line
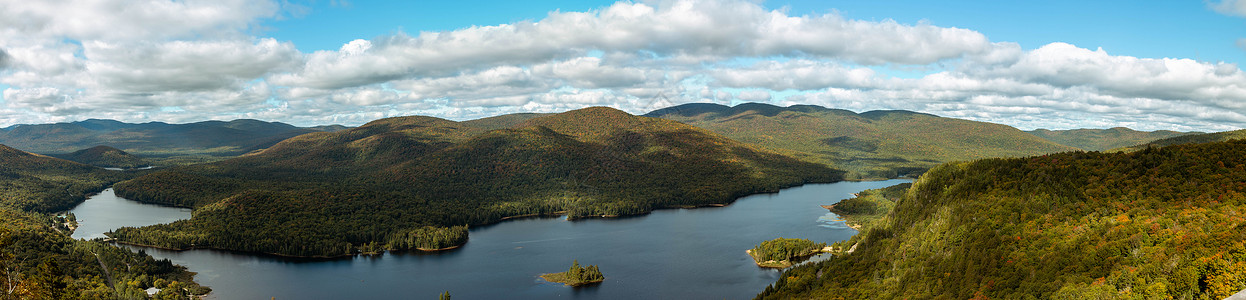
[995, 212]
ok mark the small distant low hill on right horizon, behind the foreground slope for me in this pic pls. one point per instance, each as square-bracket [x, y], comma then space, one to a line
[1105, 140]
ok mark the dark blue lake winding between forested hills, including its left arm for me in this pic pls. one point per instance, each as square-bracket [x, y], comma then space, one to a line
[668, 255]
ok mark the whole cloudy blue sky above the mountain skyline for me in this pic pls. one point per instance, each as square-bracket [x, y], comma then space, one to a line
[1058, 65]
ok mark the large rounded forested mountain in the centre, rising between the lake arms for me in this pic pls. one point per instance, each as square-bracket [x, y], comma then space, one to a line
[399, 184]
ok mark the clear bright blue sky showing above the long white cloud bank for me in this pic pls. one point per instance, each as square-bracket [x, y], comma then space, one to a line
[1143, 29]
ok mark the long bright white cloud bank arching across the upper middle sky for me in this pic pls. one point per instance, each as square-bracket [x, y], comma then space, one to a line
[690, 30]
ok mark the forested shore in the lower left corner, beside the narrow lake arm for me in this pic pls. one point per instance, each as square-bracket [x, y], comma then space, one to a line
[39, 260]
